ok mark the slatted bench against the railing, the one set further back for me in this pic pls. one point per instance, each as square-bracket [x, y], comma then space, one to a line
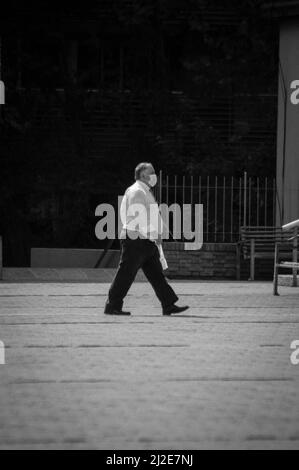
[258, 242]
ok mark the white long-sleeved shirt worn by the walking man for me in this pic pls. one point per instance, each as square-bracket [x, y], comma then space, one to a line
[140, 212]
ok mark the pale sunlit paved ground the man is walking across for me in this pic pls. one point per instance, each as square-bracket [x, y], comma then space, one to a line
[218, 376]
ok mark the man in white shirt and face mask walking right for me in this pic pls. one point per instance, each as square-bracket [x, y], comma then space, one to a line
[140, 245]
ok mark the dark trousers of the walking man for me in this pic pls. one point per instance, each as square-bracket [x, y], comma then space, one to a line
[136, 254]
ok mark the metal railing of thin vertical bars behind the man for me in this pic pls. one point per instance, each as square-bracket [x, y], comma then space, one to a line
[228, 202]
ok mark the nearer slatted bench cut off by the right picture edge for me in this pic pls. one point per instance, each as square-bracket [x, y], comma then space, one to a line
[286, 254]
